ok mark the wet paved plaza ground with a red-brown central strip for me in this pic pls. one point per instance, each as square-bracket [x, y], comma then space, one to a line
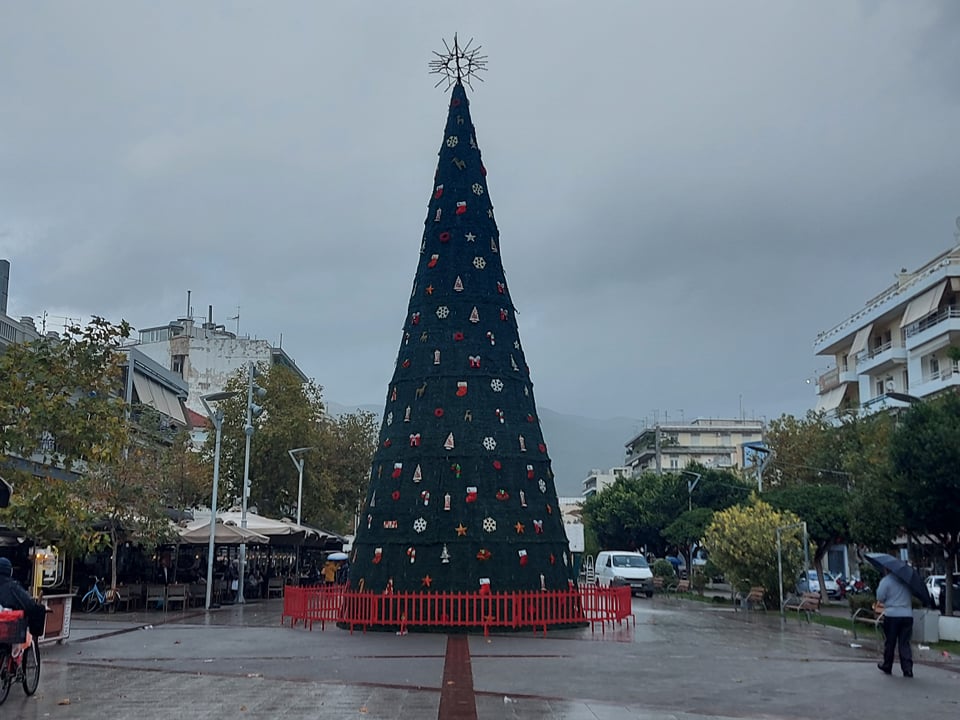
[681, 660]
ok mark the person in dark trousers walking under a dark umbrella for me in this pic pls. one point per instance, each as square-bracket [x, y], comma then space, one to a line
[899, 583]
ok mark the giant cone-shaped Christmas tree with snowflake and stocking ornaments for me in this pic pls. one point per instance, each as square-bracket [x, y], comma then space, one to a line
[461, 496]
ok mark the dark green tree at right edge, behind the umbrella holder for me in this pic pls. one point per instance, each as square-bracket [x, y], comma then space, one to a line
[925, 484]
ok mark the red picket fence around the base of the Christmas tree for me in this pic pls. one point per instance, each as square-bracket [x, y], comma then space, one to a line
[428, 610]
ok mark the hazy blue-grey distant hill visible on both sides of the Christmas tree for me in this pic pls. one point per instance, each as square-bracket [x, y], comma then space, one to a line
[576, 444]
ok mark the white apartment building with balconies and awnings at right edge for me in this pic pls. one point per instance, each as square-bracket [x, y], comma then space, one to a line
[899, 343]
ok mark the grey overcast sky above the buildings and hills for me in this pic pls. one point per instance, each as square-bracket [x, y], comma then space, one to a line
[686, 192]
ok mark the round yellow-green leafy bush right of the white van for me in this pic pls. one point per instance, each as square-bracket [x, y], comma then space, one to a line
[743, 544]
